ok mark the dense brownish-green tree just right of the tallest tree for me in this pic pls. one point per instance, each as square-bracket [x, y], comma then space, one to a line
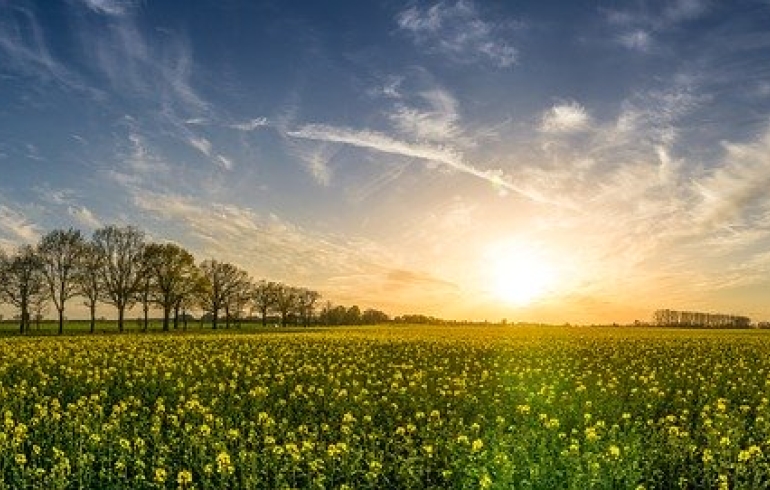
[170, 268]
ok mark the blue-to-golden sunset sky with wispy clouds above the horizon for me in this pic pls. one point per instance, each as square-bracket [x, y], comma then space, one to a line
[552, 161]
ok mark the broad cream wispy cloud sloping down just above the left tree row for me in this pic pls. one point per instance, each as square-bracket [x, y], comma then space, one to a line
[265, 244]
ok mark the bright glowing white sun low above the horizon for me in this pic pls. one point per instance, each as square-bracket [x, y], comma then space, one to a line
[520, 275]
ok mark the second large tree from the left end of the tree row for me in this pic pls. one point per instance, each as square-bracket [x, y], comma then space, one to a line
[60, 254]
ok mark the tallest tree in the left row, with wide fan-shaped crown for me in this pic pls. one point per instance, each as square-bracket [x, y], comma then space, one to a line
[120, 250]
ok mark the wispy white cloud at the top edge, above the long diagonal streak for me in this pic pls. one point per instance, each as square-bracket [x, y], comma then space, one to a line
[457, 30]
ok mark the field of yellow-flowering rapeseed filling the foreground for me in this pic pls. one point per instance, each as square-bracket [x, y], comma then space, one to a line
[388, 407]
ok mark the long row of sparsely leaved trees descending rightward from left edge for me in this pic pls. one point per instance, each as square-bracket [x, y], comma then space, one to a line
[119, 267]
